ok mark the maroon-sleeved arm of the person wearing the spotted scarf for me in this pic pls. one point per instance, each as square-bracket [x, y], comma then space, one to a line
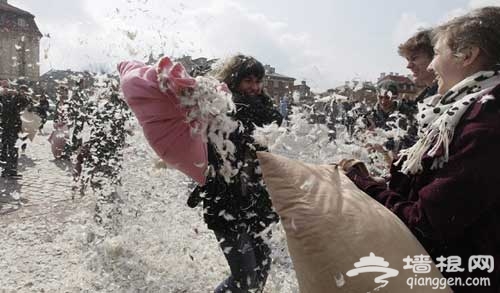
[465, 188]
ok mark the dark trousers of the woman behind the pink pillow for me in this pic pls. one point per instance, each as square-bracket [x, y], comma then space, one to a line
[249, 259]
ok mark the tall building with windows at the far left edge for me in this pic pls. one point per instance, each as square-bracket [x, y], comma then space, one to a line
[19, 43]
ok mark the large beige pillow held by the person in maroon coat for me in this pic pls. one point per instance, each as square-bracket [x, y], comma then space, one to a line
[339, 238]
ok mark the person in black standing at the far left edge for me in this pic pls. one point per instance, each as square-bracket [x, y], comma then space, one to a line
[13, 102]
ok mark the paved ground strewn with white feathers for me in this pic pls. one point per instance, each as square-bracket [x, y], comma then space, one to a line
[50, 243]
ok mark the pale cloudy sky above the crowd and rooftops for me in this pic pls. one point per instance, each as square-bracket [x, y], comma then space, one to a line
[324, 42]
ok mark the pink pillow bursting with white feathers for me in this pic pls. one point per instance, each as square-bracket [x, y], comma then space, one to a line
[161, 116]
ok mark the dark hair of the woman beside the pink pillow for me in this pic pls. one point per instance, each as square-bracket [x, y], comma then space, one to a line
[238, 68]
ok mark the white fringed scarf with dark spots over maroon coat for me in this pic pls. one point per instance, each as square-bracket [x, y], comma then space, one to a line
[439, 115]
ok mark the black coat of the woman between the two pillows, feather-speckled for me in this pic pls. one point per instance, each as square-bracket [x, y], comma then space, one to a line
[244, 203]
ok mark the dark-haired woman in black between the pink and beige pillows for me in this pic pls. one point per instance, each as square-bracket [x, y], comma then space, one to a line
[240, 212]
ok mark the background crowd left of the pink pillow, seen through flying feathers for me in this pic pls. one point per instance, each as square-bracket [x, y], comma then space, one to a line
[94, 158]
